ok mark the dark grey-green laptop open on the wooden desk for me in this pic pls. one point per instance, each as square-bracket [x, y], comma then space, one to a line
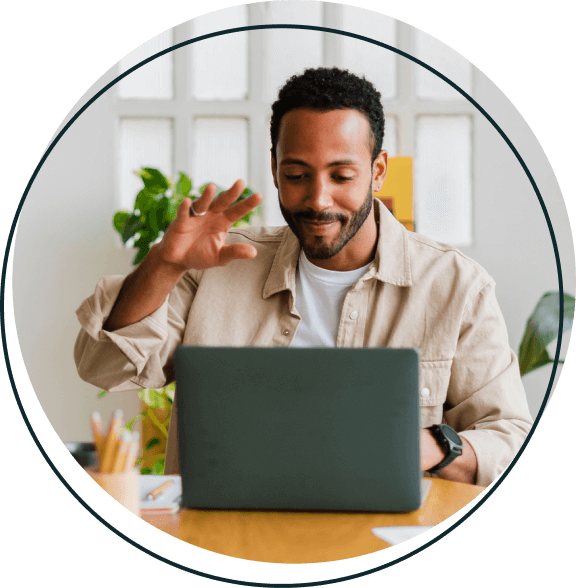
[306, 429]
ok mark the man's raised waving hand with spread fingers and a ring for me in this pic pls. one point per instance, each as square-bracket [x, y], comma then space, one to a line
[198, 242]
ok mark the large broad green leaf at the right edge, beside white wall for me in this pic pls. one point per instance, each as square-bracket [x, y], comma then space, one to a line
[542, 328]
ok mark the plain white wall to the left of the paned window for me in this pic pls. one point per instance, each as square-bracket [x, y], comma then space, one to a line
[64, 243]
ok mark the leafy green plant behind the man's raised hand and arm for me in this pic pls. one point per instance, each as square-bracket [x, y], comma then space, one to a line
[154, 209]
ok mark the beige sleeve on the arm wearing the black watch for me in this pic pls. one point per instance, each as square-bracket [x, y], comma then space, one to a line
[486, 401]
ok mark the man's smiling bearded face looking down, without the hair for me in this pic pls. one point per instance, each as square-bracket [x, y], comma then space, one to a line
[324, 177]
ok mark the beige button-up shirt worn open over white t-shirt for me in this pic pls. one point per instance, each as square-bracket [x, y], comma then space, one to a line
[417, 293]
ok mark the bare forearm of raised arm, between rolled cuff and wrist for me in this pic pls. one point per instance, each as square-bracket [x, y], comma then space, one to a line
[143, 291]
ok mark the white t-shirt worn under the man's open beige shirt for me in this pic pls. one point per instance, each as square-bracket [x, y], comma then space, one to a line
[320, 295]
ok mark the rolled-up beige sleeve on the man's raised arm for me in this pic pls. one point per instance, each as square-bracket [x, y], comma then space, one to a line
[133, 357]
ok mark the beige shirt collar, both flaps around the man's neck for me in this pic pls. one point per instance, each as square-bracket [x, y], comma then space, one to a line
[391, 263]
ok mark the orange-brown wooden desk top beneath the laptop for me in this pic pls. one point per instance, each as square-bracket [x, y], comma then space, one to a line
[305, 537]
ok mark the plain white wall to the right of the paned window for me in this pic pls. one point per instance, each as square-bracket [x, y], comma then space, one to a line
[511, 236]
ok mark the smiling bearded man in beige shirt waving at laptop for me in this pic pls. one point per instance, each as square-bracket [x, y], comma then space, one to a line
[343, 273]
